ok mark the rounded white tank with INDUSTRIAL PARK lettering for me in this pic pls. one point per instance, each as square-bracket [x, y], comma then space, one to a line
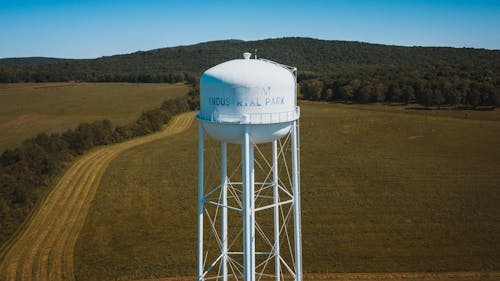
[257, 93]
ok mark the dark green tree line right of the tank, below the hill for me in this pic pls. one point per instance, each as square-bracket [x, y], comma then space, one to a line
[453, 87]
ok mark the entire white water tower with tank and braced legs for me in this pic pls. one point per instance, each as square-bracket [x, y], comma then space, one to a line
[249, 218]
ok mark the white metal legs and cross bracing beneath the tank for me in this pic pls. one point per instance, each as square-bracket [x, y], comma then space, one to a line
[249, 222]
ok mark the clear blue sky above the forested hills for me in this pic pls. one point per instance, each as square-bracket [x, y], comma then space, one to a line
[89, 29]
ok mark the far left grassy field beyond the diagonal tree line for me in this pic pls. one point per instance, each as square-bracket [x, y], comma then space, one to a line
[27, 109]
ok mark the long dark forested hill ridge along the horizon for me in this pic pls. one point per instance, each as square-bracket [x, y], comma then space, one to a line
[309, 55]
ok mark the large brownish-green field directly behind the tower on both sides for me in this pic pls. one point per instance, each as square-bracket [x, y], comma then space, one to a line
[384, 189]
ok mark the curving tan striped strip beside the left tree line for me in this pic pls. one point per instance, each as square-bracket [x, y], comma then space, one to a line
[44, 249]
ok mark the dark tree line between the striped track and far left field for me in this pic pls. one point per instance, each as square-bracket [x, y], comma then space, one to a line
[27, 171]
